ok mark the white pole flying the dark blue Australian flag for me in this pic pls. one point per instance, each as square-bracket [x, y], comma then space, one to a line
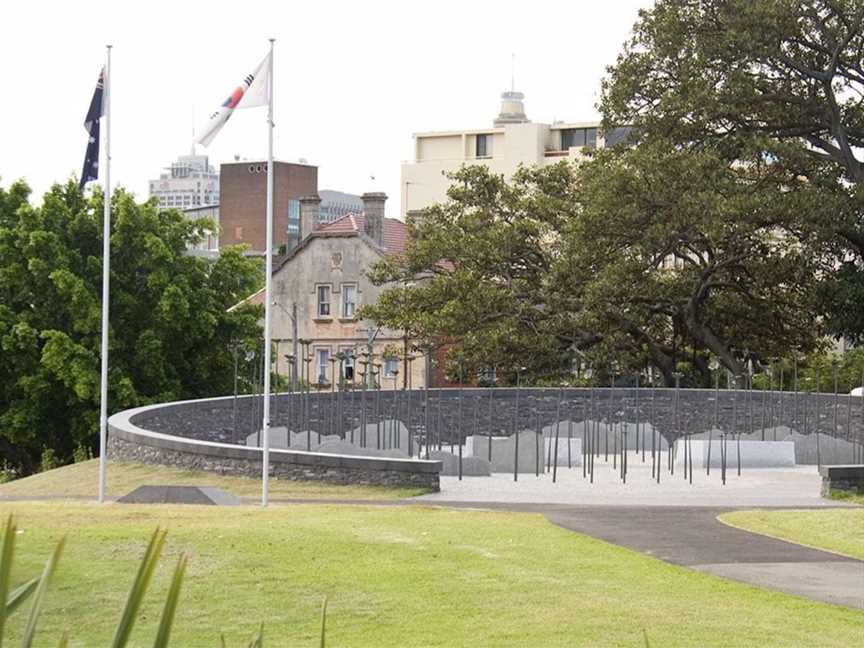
[106, 273]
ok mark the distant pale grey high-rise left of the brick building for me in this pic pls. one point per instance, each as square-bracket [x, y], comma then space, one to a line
[189, 182]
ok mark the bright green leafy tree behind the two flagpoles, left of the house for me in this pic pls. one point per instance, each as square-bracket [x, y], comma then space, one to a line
[170, 331]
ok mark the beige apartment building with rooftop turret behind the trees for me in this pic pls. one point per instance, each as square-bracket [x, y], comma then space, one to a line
[511, 140]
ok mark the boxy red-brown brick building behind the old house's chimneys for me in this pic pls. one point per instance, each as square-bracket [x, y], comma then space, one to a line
[243, 201]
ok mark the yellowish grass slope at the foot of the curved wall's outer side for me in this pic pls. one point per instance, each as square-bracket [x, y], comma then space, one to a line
[81, 480]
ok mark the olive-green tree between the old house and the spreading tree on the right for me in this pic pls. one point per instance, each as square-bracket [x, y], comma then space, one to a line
[476, 274]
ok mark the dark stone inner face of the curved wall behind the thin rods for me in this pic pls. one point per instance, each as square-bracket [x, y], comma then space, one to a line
[450, 414]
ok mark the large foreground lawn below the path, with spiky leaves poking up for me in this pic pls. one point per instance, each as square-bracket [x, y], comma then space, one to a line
[395, 576]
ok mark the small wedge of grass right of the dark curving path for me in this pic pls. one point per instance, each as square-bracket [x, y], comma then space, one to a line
[839, 530]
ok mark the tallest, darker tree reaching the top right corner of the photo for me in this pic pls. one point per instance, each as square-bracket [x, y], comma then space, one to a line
[782, 77]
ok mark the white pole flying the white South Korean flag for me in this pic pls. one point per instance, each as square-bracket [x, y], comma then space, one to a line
[268, 287]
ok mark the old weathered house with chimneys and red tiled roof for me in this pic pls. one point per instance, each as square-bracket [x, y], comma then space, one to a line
[318, 288]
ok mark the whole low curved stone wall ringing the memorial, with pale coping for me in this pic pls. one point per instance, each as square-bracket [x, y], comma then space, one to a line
[221, 434]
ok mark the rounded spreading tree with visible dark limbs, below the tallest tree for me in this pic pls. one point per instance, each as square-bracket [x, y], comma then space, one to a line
[679, 256]
